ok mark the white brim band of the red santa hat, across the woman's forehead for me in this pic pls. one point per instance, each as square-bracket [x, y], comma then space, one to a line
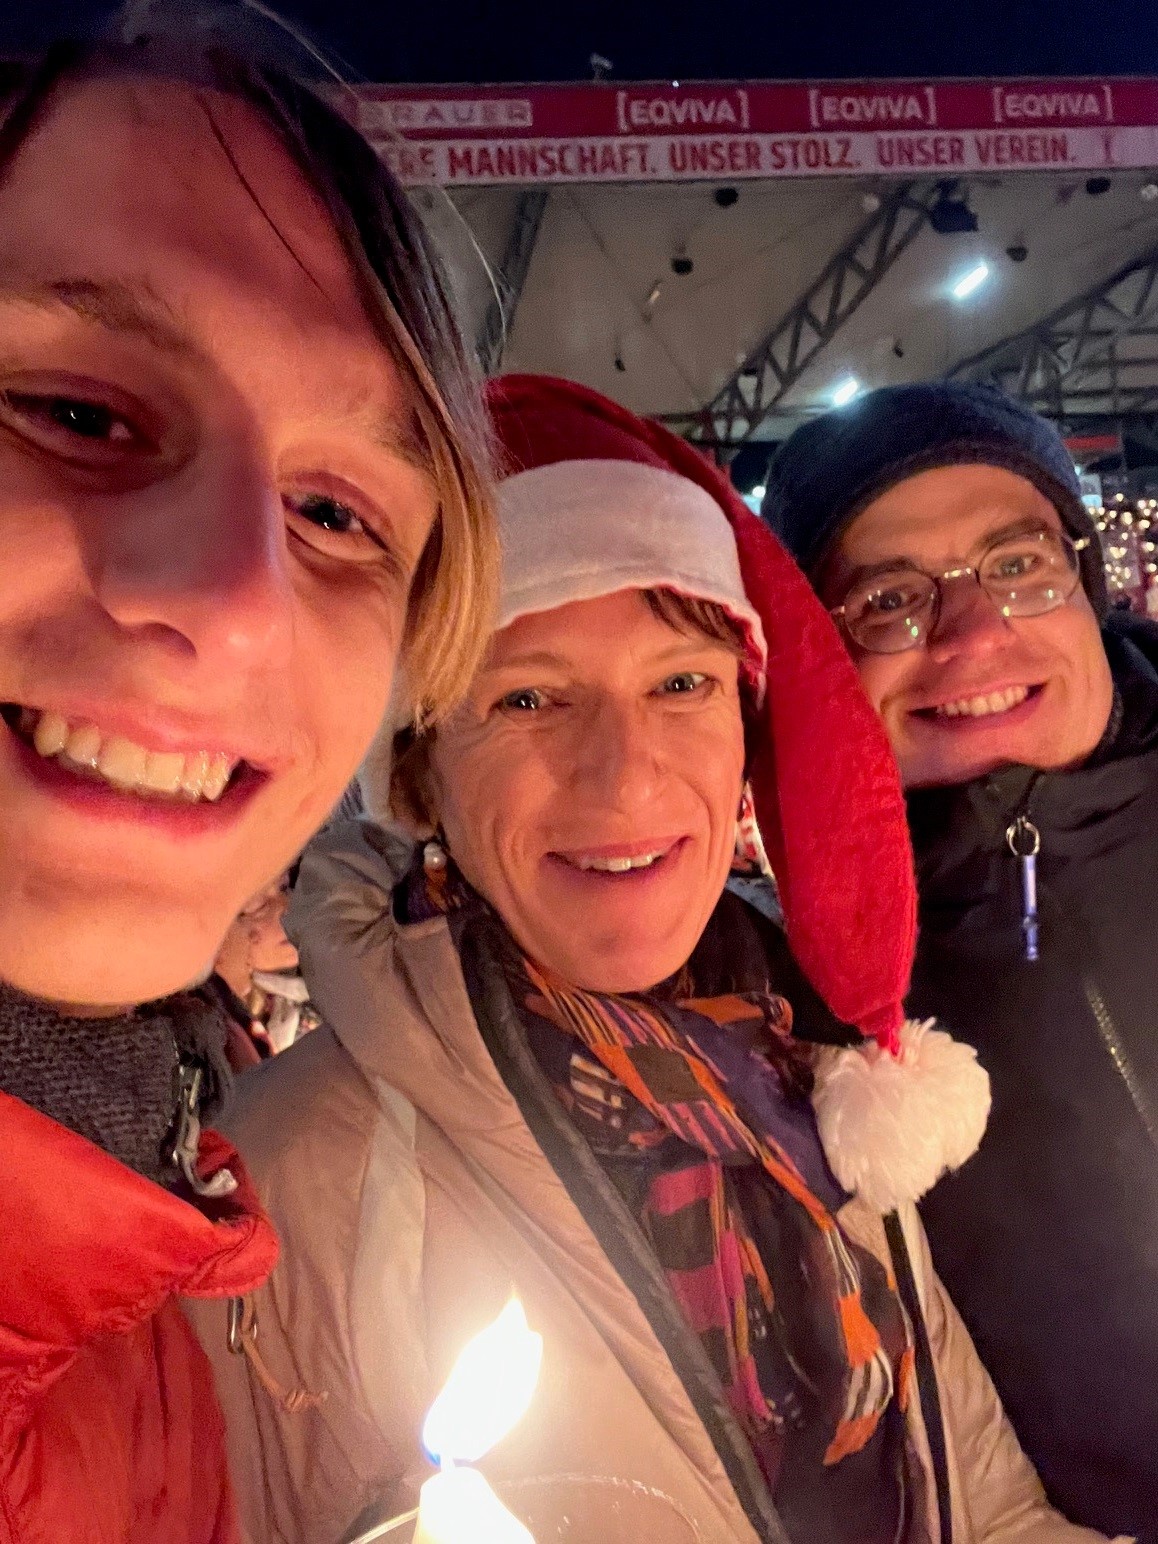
[586, 529]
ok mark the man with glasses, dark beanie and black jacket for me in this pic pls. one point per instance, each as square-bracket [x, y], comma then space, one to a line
[944, 527]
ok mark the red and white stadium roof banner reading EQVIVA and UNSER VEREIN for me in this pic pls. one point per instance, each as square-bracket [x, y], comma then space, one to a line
[669, 132]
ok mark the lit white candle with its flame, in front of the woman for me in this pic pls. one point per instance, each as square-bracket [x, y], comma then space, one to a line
[486, 1397]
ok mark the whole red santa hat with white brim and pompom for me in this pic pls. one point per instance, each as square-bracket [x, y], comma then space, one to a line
[597, 499]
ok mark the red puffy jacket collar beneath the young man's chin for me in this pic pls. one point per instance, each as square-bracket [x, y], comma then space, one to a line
[93, 1248]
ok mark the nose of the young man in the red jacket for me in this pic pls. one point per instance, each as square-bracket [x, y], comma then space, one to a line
[198, 564]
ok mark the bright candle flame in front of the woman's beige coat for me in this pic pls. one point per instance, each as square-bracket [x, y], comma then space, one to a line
[489, 1390]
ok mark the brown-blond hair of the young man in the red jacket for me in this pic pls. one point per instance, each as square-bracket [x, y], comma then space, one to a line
[407, 299]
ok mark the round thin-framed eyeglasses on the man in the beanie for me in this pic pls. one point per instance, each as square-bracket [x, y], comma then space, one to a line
[1023, 577]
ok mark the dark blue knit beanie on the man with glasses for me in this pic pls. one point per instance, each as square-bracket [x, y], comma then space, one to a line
[833, 467]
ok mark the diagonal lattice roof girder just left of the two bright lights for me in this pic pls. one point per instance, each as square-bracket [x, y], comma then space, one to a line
[784, 356]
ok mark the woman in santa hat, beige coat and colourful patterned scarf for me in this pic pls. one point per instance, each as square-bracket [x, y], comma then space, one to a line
[564, 1057]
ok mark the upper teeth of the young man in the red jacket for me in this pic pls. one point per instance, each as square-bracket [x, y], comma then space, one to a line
[127, 767]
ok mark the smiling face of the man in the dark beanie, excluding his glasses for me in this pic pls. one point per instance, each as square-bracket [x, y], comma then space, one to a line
[983, 691]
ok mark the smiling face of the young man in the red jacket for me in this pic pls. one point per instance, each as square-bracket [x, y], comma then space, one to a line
[211, 513]
